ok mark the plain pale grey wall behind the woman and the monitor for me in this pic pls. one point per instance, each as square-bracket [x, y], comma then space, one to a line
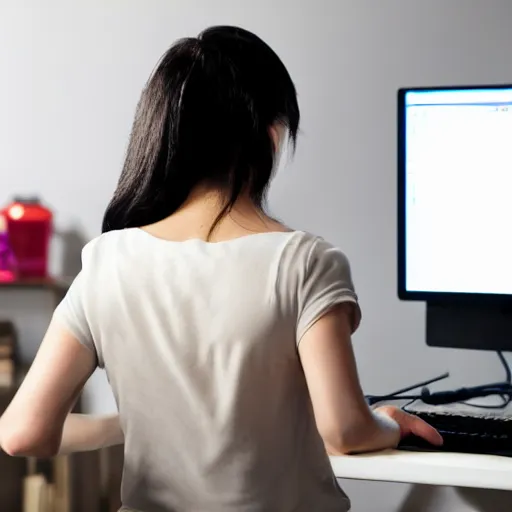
[71, 73]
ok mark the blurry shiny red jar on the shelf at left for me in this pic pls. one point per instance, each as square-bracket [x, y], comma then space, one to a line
[29, 225]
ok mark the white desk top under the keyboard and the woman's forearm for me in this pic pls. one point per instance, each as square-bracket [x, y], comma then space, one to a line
[446, 469]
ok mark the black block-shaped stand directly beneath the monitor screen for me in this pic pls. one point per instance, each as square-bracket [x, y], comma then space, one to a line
[469, 326]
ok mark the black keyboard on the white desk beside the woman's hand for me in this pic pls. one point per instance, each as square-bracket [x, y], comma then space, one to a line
[465, 429]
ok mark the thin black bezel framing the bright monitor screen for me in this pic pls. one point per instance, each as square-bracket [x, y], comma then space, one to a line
[403, 293]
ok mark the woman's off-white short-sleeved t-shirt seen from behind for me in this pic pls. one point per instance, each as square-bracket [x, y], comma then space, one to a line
[199, 342]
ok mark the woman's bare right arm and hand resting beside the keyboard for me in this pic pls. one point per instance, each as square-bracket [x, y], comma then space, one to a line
[344, 420]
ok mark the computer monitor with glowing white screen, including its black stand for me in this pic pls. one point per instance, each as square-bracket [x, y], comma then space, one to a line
[455, 212]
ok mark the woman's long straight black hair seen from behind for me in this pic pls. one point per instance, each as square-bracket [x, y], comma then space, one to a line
[204, 118]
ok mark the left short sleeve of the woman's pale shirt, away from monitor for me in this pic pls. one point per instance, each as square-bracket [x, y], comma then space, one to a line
[71, 312]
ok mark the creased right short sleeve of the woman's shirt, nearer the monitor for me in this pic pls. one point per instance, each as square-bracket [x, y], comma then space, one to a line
[327, 282]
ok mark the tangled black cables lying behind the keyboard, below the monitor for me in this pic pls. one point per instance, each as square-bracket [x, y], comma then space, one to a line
[461, 395]
